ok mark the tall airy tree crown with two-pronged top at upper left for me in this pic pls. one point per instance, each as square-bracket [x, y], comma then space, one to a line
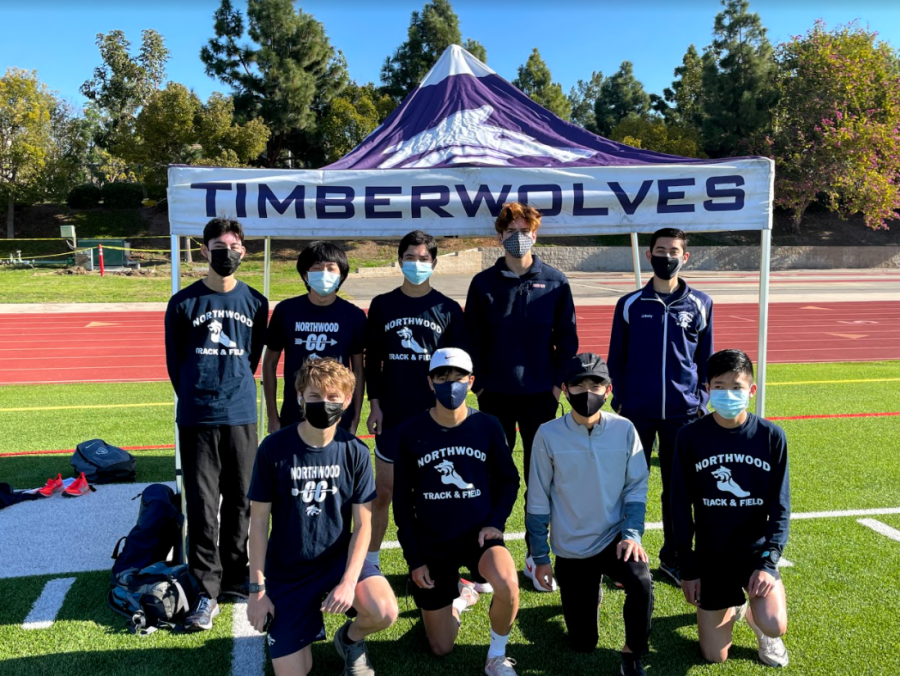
[123, 83]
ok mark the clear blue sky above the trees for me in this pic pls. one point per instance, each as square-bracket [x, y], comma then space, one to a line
[575, 37]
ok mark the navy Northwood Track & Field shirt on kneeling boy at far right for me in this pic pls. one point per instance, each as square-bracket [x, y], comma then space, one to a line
[731, 486]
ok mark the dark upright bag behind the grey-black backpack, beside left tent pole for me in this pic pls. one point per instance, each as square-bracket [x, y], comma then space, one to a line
[155, 534]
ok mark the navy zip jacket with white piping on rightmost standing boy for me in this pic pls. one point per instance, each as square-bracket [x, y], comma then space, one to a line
[658, 352]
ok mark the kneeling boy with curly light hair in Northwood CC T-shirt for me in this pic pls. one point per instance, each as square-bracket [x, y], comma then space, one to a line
[311, 477]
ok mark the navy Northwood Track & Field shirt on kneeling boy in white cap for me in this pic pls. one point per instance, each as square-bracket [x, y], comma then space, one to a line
[449, 482]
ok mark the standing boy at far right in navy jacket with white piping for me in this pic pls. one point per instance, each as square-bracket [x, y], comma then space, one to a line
[662, 337]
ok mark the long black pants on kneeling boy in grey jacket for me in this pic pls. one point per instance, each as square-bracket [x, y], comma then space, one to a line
[579, 587]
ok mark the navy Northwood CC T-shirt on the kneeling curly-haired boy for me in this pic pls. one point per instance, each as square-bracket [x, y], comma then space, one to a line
[312, 492]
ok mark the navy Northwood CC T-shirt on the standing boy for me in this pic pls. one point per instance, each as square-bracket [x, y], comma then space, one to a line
[303, 330]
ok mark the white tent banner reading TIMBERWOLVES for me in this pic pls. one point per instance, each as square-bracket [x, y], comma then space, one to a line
[728, 195]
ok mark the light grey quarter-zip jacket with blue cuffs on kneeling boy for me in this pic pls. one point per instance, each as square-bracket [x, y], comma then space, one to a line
[590, 486]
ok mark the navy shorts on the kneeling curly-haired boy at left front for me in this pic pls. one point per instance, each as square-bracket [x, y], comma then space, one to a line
[298, 620]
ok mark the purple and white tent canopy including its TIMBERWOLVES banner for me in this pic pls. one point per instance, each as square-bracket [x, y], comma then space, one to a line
[460, 145]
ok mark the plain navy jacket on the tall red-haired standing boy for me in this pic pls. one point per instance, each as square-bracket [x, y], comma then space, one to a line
[522, 329]
